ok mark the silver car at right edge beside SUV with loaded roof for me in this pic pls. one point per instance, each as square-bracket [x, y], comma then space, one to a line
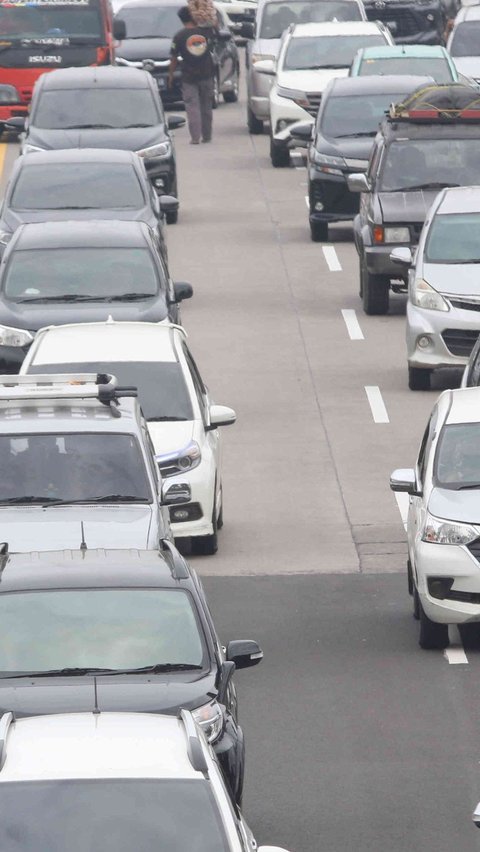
[443, 309]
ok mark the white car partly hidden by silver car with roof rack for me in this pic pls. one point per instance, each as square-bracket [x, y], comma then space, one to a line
[182, 420]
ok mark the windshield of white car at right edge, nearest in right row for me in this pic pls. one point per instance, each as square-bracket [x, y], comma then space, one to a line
[457, 461]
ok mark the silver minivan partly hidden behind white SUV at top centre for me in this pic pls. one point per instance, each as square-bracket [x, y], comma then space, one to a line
[273, 18]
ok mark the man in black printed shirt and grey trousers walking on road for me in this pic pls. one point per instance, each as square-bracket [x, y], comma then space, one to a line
[194, 44]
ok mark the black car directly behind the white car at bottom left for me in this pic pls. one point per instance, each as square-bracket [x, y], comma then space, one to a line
[136, 621]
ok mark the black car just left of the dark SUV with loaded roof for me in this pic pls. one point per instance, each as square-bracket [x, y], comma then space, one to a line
[348, 120]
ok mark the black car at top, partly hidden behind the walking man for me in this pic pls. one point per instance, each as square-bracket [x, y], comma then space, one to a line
[151, 25]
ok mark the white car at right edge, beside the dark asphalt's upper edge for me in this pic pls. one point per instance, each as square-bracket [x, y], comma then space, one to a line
[443, 527]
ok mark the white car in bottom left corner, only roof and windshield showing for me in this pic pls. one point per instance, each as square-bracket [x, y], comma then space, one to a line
[115, 782]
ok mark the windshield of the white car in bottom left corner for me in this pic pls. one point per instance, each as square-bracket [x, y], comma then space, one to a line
[114, 815]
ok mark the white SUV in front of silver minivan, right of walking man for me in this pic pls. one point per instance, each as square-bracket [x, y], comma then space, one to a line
[310, 56]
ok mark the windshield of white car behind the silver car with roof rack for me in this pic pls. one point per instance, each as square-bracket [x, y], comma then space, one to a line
[162, 391]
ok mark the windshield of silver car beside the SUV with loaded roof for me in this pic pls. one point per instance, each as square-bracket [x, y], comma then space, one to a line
[454, 238]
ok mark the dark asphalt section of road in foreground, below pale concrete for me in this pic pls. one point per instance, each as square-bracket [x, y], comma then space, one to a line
[356, 739]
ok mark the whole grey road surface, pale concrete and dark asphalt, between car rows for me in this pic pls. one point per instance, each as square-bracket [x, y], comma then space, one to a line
[357, 741]
